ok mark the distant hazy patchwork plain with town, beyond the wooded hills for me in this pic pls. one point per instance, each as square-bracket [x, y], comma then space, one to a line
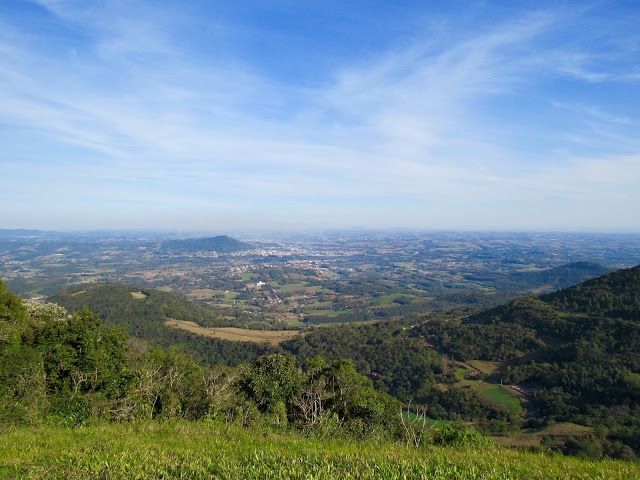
[323, 278]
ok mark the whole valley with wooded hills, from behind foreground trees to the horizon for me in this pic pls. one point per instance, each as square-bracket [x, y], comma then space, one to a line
[497, 339]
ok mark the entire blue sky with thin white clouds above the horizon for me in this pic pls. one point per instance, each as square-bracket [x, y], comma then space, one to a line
[215, 115]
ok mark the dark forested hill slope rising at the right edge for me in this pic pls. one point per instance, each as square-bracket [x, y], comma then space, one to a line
[578, 349]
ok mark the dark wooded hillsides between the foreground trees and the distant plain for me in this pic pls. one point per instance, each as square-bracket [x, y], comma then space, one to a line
[576, 354]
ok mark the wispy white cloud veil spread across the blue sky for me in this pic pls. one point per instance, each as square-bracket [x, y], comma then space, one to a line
[159, 124]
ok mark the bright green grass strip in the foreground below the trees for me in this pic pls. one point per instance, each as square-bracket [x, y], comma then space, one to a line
[201, 450]
